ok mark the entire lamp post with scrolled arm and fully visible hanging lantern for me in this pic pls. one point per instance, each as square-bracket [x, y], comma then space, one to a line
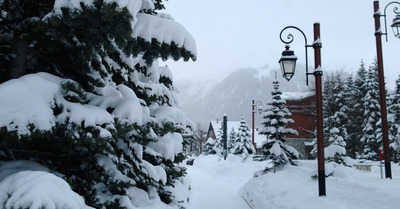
[288, 64]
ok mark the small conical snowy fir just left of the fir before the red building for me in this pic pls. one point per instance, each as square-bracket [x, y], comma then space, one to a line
[241, 144]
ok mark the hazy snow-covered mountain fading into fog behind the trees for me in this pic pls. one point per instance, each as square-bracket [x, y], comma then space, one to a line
[203, 101]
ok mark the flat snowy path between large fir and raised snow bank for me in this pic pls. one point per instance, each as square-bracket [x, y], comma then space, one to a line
[216, 185]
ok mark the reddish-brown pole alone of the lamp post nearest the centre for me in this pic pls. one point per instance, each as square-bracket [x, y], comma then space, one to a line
[318, 101]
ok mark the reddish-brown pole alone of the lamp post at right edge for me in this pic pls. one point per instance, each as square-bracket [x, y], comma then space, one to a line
[382, 93]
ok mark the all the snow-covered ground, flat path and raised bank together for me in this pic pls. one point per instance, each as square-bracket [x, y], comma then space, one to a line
[226, 184]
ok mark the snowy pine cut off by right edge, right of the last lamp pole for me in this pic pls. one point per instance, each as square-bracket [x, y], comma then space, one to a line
[394, 123]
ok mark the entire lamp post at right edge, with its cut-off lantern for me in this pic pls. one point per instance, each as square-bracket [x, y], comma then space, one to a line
[382, 94]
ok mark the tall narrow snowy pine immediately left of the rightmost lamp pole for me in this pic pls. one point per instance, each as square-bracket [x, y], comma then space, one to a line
[371, 137]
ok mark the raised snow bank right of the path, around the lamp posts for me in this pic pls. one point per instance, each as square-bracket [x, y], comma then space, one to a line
[349, 188]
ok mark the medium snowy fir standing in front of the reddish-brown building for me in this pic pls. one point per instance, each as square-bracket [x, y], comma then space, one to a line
[274, 121]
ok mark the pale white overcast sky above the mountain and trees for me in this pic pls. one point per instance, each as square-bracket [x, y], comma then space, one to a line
[232, 34]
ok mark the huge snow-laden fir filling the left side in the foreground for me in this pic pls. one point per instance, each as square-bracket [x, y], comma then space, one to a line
[114, 130]
